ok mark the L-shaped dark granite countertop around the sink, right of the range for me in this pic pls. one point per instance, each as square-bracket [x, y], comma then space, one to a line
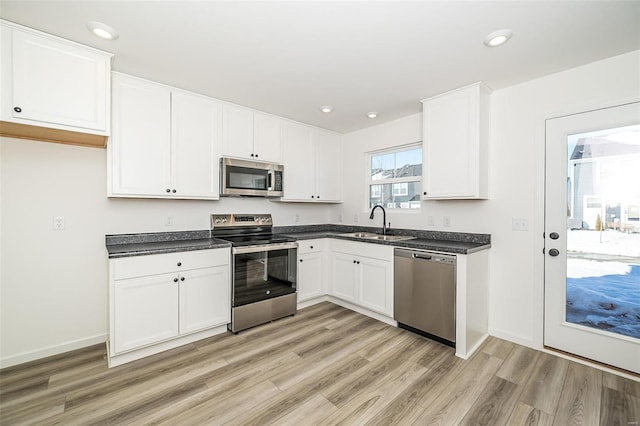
[447, 242]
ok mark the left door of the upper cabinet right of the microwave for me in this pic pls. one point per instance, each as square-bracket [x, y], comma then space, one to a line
[299, 163]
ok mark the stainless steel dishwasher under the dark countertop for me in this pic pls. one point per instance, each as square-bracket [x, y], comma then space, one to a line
[425, 293]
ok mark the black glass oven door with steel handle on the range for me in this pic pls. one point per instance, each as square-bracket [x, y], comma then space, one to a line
[263, 272]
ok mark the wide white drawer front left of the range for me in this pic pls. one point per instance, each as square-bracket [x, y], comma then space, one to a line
[139, 266]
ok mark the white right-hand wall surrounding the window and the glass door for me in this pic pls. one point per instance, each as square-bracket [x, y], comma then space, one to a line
[516, 182]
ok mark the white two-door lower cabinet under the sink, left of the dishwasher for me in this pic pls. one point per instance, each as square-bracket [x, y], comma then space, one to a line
[362, 274]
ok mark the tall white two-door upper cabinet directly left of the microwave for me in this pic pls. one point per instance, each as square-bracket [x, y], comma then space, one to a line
[164, 142]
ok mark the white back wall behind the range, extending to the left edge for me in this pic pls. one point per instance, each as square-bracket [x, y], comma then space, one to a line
[53, 284]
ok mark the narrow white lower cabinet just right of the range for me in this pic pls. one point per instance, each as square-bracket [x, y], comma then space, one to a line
[311, 275]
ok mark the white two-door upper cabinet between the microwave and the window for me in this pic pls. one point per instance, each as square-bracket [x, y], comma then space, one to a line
[312, 164]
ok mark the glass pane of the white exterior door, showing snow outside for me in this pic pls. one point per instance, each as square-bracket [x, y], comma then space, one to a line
[603, 230]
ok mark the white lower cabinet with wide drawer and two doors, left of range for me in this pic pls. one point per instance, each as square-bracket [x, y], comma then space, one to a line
[162, 301]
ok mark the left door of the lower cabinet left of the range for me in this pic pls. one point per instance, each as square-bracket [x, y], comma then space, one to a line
[145, 311]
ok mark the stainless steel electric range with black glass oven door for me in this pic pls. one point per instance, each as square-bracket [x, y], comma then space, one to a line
[263, 269]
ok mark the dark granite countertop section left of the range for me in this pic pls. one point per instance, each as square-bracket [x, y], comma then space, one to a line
[128, 245]
